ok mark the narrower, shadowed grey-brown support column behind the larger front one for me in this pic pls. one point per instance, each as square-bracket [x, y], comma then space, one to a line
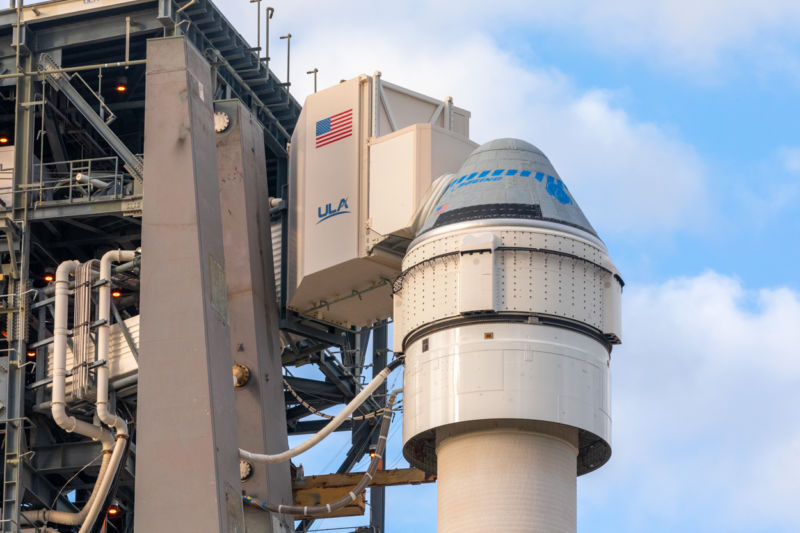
[253, 311]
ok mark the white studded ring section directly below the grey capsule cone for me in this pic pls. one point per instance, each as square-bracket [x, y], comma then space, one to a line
[524, 281]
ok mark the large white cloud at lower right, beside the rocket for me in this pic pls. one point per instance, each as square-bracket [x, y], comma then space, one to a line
[705, 395]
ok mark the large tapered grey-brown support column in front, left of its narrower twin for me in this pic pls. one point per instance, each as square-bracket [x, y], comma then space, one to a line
[187, 464]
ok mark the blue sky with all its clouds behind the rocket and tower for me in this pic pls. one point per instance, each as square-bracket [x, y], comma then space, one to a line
[675, 125]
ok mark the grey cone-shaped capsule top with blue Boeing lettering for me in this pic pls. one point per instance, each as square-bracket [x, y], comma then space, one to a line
[507, 179]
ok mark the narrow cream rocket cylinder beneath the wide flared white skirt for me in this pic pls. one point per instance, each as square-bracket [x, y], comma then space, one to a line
[523, 482]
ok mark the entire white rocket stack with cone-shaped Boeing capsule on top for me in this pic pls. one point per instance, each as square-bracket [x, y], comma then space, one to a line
[506, 310]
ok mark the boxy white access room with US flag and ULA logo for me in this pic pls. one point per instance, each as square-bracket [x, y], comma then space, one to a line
[363, 155]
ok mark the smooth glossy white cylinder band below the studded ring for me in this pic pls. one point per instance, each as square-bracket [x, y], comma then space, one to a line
[523, 372]
